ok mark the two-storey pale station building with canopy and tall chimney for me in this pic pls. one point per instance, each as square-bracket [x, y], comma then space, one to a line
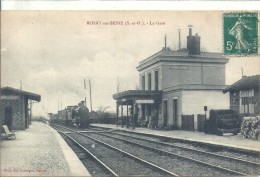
[174, 87]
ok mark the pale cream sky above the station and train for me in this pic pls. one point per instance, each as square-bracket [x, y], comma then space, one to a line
[51, 52]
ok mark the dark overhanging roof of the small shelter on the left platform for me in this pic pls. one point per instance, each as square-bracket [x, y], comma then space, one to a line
[17, 92]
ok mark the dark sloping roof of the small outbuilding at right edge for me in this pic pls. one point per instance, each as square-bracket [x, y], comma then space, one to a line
[250, 82]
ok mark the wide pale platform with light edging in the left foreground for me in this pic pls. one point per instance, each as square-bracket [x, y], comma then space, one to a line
[39, 151]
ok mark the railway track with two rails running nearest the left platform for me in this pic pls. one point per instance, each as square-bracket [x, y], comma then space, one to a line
[117, 161]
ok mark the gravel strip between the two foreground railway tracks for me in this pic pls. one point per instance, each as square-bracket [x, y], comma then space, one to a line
[187, 166]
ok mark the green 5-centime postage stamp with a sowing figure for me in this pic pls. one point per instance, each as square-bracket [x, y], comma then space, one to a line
[240, 33]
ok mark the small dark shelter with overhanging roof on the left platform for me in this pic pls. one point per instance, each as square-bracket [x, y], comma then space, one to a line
[16, 107]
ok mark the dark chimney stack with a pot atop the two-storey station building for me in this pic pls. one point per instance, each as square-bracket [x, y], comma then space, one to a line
[193, 43]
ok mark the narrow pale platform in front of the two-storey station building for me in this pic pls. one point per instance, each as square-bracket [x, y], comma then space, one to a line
[232, 141]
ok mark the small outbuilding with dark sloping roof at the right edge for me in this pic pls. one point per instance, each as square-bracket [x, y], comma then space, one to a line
[245, 96]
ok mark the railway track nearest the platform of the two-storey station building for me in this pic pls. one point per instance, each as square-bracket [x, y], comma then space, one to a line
[228, 163]
